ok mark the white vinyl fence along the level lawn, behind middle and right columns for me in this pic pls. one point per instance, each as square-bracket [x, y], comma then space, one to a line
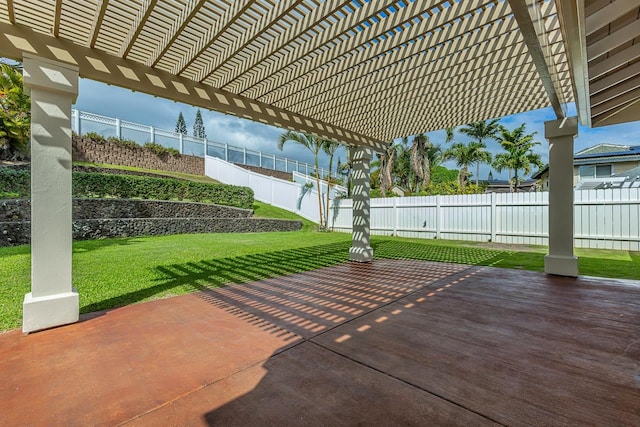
[607, 219]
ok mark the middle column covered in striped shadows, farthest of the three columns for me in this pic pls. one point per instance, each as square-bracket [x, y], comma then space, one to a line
[361, 250]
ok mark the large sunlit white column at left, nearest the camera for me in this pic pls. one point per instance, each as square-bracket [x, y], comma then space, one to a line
[52, 300]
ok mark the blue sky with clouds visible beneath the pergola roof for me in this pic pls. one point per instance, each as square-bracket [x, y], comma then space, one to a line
[140, 108]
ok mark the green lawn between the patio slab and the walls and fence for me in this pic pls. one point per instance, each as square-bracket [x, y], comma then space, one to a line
[114, 272]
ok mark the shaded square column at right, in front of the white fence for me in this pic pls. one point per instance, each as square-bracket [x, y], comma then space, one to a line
[561, 260]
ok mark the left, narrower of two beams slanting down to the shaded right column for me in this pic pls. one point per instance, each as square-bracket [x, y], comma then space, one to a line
[521, 13]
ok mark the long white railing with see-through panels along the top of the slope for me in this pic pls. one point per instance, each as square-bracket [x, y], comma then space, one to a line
[84, 122]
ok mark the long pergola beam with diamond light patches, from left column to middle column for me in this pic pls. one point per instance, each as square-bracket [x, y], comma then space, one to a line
[95, 65]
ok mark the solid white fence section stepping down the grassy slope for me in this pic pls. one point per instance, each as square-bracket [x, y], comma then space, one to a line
[277, 192]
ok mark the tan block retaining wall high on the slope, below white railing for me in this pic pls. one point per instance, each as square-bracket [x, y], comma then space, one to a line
[87, 150]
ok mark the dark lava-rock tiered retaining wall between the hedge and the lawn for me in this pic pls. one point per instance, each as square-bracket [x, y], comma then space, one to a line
[105, 218]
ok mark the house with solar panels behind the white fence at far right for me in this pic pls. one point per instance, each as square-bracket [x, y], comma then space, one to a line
[601, 166]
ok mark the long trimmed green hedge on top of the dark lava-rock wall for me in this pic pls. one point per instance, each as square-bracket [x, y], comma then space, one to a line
[17, 184]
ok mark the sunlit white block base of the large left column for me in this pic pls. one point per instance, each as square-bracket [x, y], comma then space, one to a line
[49, 311]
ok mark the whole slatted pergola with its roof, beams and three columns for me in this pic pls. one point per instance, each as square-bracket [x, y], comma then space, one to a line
[359, 72]
